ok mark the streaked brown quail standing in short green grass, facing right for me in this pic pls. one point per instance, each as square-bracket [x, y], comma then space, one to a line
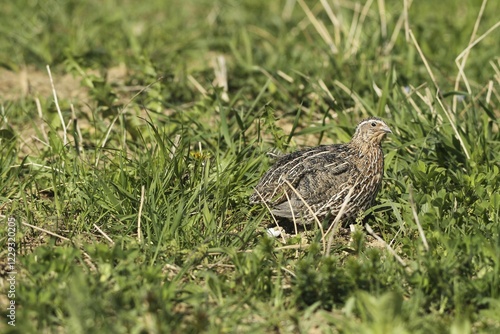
[313, 183]
